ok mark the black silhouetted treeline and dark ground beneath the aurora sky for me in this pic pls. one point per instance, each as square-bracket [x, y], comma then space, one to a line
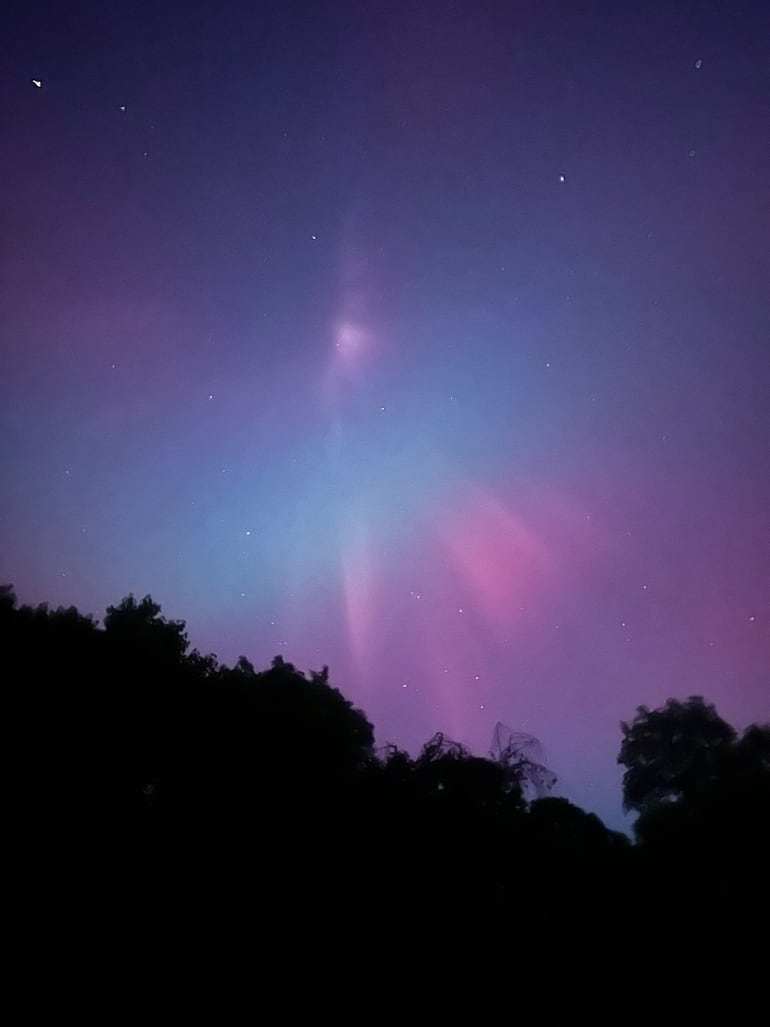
[188, 828]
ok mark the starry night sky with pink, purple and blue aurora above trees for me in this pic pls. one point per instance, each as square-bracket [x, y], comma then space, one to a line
[426, 340]
